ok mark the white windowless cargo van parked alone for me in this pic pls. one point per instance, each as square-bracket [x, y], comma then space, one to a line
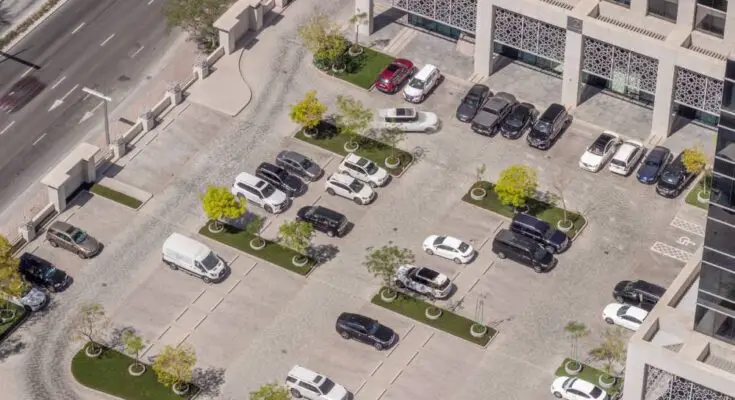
[193, 257]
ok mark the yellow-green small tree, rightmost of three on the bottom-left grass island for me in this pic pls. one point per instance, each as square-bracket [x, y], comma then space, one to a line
[174, 366]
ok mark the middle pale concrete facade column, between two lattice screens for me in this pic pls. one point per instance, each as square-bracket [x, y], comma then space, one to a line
[573, 57]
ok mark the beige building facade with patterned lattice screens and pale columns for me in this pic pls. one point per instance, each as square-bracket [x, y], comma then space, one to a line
[668, 55]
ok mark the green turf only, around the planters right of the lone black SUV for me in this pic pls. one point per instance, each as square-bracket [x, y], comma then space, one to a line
[448, 322]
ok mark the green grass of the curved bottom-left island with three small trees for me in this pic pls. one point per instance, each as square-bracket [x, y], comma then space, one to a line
[108, 373]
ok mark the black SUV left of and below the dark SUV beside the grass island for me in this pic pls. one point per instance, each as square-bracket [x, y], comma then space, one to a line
[522, 250]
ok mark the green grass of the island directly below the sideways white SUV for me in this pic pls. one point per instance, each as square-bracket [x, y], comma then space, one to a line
[369, 148]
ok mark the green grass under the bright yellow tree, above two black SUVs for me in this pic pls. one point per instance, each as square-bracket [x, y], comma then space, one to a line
[537, 208]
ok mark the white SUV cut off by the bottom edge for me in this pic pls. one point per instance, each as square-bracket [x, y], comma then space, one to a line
[308, 384]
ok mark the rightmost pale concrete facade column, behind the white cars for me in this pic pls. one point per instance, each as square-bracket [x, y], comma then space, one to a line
[662, 107]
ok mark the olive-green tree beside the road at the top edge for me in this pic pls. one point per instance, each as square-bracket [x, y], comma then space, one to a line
[197, 18]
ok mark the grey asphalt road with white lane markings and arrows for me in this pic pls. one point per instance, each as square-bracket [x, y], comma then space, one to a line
[102, 44]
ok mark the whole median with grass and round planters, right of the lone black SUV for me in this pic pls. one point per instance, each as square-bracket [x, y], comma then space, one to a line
[436, 317]
